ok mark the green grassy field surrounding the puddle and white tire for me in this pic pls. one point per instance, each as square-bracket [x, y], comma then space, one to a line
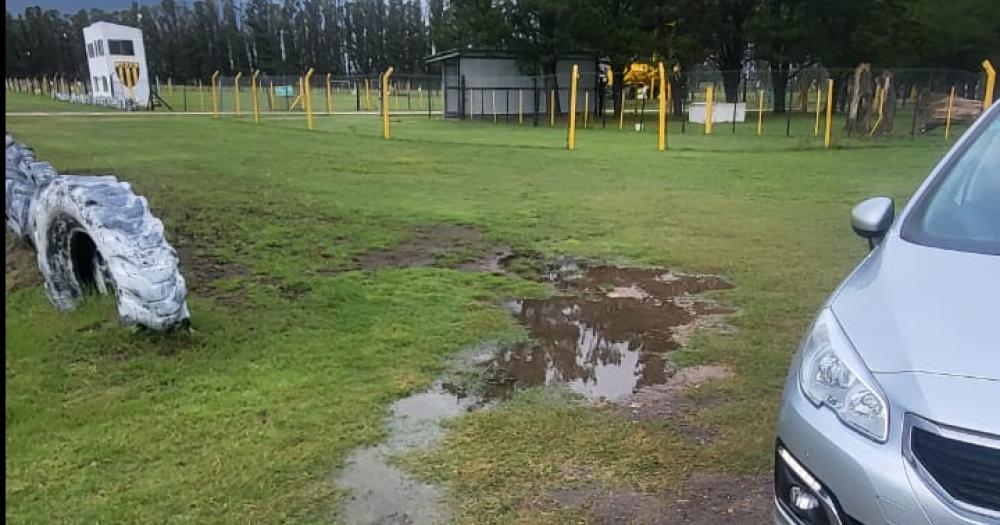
[296, 354]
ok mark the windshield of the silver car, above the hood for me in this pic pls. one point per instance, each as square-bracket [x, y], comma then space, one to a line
[961, 209]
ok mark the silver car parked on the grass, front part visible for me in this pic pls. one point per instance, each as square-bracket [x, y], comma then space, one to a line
[891, 409]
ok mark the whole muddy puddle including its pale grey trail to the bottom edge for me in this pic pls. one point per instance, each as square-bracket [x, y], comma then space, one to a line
[606, 335]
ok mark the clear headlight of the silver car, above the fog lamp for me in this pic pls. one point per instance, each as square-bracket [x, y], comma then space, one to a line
[832, 374]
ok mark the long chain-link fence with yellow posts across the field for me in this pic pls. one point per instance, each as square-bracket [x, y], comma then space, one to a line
[756, 100]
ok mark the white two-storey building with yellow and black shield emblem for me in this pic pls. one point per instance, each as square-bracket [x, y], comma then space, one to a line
[108, 44]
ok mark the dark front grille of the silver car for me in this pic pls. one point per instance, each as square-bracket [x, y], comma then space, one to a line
[968, 472]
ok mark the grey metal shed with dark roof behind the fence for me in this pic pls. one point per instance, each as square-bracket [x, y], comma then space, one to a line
[478, 83]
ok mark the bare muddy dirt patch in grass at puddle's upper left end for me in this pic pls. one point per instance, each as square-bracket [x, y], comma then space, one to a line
[448, 245]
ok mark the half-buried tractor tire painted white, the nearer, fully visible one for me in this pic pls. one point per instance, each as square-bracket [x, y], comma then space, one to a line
[94, 232]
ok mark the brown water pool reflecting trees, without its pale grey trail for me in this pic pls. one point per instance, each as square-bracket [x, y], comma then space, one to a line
[606, 335]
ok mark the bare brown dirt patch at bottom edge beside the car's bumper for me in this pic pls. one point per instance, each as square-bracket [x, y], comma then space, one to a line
[705, 499]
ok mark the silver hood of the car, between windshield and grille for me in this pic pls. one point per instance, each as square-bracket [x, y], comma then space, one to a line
[911, 308]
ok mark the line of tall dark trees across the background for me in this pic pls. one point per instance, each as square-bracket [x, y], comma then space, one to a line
[185, 42]
